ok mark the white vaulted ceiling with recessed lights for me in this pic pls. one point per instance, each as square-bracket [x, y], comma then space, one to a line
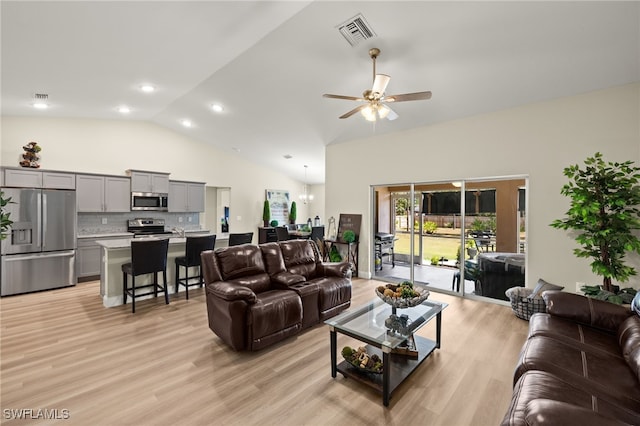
[270, 62]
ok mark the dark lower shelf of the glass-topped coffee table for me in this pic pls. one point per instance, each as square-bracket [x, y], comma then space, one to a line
[401, 366]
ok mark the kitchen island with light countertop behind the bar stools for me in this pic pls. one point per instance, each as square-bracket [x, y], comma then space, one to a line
[117, 252]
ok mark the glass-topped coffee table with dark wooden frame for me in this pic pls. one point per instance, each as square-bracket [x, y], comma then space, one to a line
[389, 333]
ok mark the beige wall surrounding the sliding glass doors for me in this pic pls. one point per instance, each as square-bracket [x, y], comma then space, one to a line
[536, 140]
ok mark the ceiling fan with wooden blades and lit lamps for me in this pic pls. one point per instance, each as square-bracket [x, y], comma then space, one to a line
[375, 99]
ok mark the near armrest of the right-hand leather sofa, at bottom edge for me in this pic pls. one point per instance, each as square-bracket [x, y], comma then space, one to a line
[540, 412]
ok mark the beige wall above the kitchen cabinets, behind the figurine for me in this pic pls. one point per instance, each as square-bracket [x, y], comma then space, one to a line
[113, 146]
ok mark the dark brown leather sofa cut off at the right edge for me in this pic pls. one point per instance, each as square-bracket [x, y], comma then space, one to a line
[580, 365]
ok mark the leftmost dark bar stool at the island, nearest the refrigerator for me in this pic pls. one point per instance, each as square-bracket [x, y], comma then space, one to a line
[147, 257]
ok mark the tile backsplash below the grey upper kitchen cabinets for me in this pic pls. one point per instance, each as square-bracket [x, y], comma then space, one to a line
[92, 223]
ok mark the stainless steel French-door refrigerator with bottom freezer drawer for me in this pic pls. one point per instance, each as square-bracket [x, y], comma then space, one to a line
[39, 252]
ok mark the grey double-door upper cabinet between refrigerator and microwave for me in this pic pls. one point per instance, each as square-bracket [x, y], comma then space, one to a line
[97, 193]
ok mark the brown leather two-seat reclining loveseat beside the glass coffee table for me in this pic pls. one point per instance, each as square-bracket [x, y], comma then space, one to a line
[260, 295]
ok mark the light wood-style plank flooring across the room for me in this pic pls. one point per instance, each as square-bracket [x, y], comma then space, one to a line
[62, 350]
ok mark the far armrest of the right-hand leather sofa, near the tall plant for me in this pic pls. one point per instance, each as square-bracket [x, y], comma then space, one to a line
[586, 310]
